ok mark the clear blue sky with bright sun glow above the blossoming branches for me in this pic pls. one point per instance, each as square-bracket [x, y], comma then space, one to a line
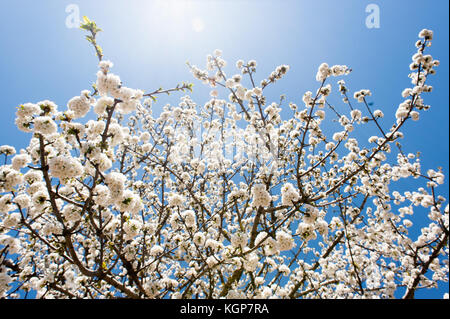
[150, 41]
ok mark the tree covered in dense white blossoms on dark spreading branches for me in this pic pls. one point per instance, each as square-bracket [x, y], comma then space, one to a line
[224, 199]
